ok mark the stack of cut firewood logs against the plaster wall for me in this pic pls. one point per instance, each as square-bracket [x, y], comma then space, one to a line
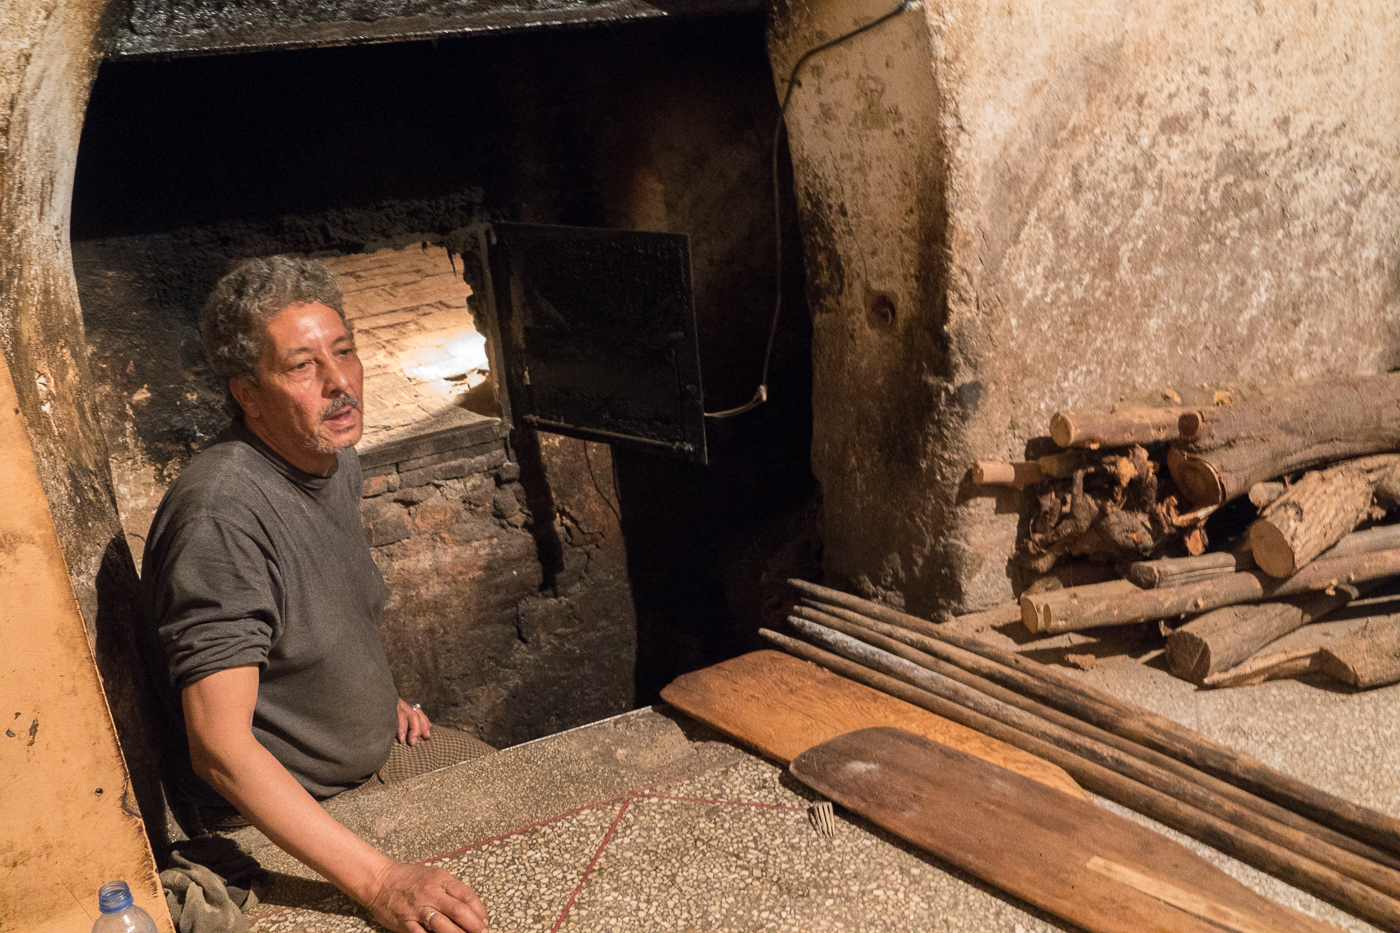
[1137, 490]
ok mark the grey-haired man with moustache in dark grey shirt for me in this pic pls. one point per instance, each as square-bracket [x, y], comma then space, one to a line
[264, 599]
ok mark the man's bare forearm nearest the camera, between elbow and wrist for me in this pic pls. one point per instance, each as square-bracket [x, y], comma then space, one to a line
[248, 777]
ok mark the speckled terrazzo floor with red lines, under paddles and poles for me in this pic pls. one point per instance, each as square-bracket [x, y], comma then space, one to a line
[650, 823]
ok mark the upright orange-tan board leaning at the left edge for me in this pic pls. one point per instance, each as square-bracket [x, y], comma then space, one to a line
[69, 822]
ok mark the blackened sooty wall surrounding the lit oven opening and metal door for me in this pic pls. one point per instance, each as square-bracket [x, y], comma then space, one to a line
[538, 583]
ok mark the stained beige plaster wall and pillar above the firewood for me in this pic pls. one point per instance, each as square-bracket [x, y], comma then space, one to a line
[1072, 202]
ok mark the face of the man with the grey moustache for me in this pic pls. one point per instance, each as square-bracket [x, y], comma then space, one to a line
[310, 382]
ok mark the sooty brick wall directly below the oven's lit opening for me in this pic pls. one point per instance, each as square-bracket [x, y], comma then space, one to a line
[506, 621]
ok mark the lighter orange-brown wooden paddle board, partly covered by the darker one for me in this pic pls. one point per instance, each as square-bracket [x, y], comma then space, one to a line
[782, 707]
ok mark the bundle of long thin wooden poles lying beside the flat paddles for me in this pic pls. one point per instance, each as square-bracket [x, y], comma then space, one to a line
[1338, 851]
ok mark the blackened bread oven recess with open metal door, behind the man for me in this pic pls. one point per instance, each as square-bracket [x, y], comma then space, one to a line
[542, 237]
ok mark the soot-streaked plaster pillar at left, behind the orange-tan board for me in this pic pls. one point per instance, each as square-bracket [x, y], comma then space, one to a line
[48, 58]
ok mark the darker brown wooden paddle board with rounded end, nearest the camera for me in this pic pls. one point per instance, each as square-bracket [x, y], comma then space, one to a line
[1060, 854]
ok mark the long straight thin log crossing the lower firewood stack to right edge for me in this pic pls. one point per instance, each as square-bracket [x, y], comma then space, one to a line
[1091, 607]
